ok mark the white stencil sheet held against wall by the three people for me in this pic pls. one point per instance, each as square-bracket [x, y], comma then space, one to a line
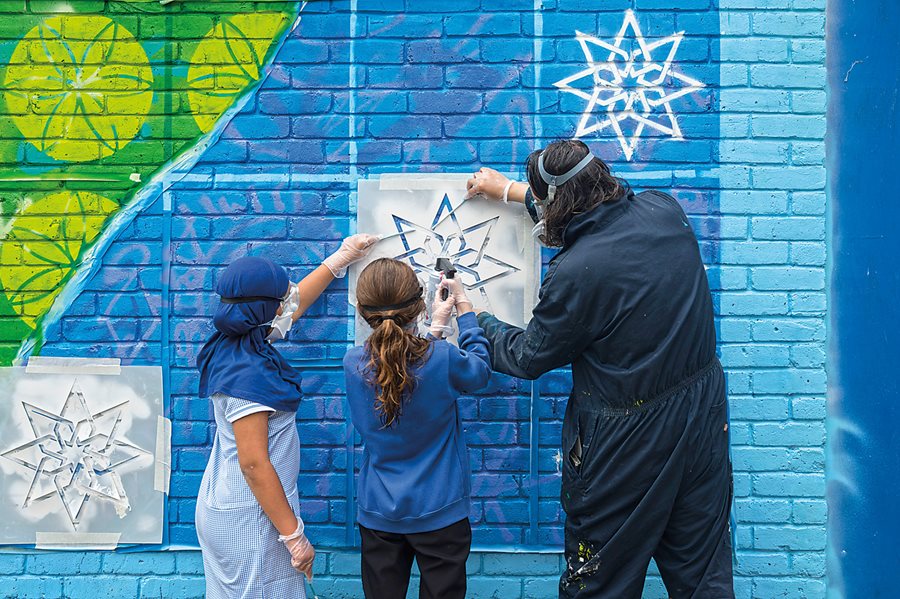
[423, 217]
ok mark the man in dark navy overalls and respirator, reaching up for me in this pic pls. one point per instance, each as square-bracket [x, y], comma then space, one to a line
[646, 468]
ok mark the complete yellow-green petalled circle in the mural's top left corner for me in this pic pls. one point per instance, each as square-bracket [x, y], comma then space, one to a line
[78, 87]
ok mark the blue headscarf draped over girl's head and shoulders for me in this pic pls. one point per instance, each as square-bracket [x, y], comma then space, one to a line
[237, 360]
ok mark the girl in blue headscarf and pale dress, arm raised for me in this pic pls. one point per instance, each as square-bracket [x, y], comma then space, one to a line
[248, 523]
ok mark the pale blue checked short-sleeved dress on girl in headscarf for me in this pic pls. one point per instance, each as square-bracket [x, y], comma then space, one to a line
[242, 556]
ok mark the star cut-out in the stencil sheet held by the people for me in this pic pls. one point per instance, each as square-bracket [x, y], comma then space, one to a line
[469, 257]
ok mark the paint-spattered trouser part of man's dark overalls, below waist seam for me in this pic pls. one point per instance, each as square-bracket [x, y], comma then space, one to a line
[654, 481]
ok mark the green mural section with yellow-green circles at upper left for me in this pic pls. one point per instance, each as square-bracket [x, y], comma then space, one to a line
[94, 107]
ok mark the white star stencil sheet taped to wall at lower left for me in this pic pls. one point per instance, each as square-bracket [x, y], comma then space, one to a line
[83, 455]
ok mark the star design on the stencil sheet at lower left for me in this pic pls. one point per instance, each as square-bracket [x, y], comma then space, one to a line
[75, 455]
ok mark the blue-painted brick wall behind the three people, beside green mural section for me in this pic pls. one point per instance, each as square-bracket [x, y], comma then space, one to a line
[432, 86]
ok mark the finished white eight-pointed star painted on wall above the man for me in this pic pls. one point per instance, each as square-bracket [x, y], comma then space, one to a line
[630, 85]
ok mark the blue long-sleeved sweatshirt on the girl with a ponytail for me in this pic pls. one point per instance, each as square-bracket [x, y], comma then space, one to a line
[415, 475]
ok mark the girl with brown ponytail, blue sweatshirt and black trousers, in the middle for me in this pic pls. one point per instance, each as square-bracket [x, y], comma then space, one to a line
[414, 483]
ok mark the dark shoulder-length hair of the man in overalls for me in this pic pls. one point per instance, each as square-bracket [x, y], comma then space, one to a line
[589, 188]
